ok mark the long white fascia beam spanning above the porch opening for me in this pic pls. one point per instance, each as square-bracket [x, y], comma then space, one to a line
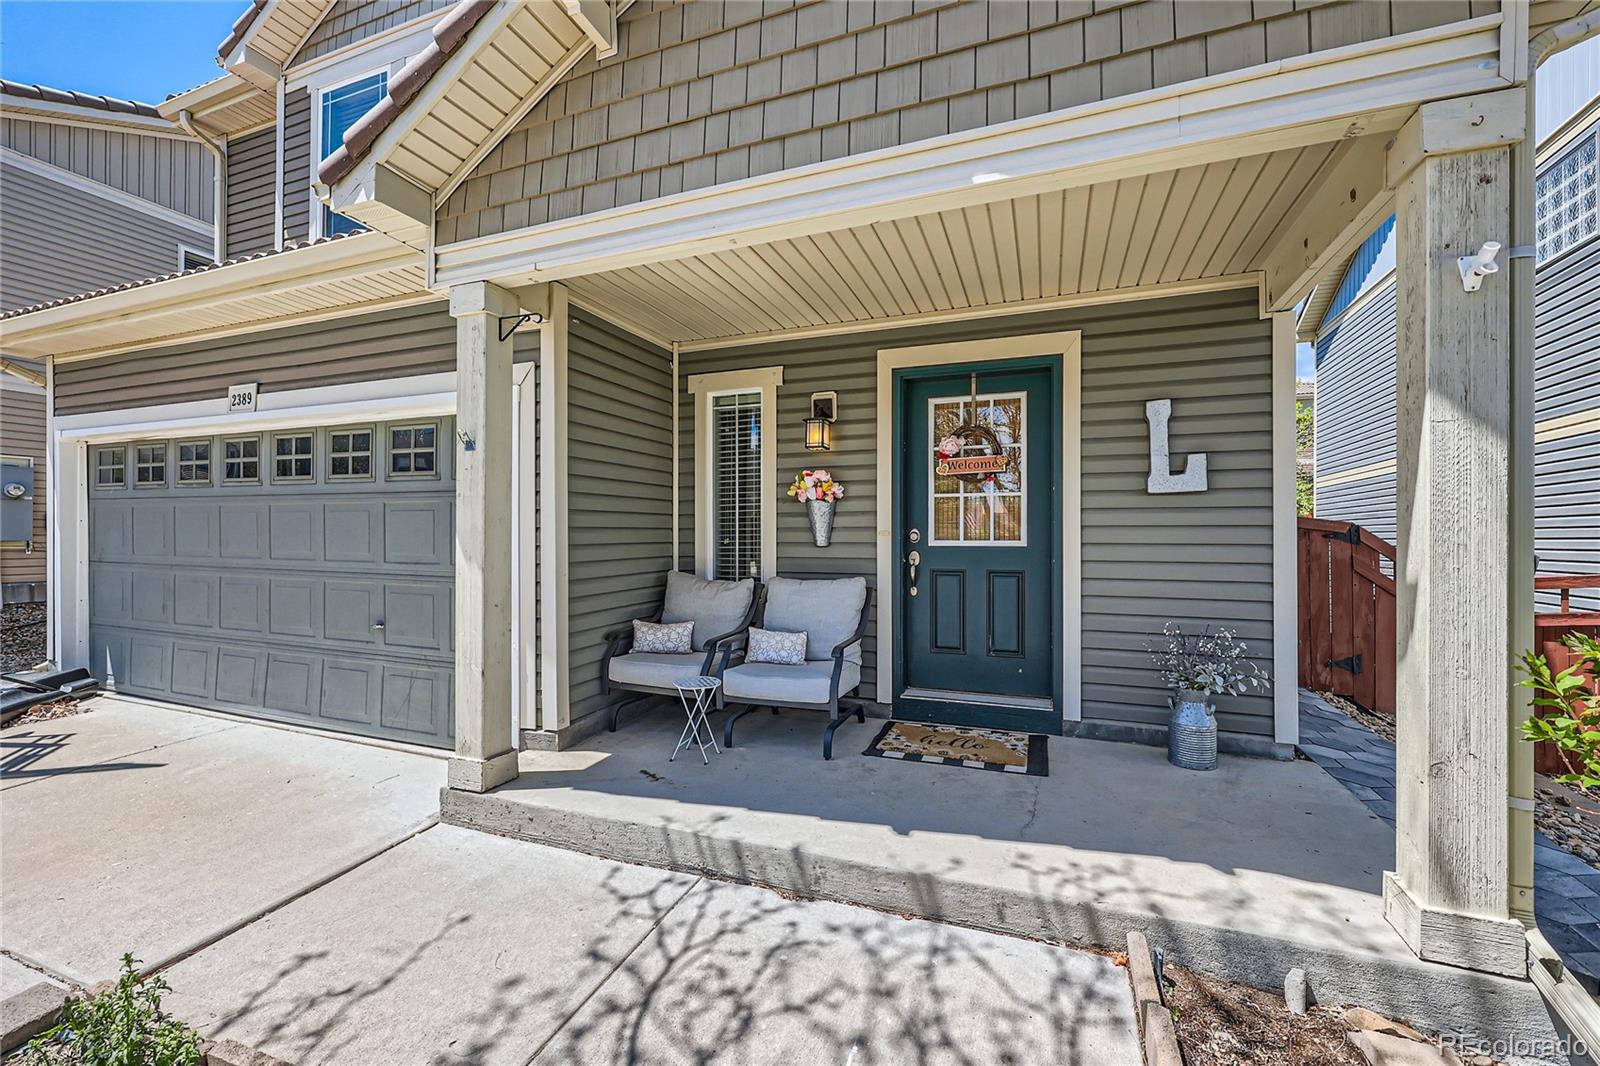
[1310, 100]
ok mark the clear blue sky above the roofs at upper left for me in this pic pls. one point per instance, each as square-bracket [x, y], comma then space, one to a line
[143, 50]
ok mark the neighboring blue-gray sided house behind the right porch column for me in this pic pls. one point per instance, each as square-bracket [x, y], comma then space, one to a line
[1356, 343]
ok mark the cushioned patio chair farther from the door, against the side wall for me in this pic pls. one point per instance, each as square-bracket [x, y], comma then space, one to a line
[721, 611]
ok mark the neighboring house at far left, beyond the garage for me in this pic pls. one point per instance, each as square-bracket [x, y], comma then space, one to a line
[97, 193]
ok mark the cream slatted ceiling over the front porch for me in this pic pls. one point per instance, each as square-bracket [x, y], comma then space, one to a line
[1191, 225]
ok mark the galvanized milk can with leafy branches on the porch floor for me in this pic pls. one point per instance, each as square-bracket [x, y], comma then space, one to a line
[1198, 667]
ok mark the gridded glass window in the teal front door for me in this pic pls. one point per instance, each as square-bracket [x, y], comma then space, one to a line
[988, 511]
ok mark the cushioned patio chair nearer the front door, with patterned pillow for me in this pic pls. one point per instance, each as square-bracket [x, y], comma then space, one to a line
[834, 619]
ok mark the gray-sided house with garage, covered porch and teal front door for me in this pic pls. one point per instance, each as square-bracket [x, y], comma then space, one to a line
[401, 479]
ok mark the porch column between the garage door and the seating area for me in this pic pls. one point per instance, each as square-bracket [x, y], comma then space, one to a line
[484, 521]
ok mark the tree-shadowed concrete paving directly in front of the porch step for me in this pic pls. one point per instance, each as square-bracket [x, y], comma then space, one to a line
[460, 947]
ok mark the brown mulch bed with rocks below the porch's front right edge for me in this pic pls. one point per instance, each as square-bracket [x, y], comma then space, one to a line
[1222, 1024]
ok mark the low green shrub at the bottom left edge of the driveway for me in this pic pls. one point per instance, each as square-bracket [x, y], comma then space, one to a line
[122, 1027]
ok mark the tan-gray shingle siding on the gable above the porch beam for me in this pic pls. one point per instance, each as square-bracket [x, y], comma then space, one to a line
[706, 94]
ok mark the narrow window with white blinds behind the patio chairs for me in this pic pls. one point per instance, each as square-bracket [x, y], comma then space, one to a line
[737, 486]
